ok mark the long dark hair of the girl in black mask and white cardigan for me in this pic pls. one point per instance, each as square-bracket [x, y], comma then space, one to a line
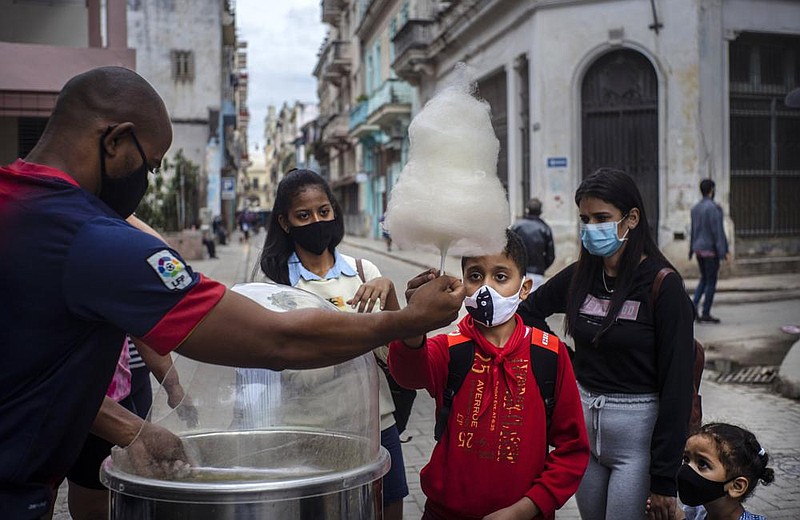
[279, 246]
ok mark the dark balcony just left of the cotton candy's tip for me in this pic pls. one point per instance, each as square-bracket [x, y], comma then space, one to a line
[411, 50]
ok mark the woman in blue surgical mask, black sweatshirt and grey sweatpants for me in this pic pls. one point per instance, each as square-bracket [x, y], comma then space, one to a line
[633, 356]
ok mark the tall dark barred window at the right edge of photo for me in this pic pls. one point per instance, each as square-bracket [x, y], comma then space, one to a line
[764, 136]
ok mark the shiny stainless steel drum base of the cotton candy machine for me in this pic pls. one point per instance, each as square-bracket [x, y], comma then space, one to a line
[289, 474]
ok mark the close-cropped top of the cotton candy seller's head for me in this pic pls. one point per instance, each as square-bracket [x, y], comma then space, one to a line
[109, 95]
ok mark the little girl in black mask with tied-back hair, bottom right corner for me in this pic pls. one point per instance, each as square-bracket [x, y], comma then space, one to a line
[722, 465]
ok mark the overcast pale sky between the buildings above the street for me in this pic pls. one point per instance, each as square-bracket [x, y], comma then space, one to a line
[283, 38]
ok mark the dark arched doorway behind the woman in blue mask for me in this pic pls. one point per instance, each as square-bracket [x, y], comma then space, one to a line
[619, 122]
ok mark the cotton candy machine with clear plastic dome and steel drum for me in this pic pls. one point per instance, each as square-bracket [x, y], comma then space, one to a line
[257, 444]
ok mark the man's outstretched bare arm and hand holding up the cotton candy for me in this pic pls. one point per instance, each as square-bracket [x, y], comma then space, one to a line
[240, 332]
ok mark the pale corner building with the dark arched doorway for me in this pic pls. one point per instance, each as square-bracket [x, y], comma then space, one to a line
[672, 92]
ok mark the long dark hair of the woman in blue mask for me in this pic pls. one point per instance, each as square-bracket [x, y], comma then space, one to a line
[618, 189]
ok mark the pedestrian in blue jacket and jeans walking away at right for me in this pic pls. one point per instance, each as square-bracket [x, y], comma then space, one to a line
[709, 245]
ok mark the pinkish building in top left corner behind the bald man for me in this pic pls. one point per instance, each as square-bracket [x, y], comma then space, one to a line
[44, 44]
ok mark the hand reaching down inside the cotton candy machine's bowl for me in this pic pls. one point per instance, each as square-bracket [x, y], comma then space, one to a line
[155, 453]
